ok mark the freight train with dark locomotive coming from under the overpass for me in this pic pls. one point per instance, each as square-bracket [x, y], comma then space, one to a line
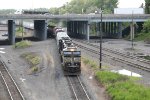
[70, 55]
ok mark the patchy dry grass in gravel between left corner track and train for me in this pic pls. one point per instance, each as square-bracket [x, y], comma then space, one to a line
[33, 59]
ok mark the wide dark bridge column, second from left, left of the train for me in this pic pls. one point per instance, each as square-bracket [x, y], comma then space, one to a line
[40, 29]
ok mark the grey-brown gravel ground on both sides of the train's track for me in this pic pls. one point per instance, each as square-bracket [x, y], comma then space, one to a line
[49, 83]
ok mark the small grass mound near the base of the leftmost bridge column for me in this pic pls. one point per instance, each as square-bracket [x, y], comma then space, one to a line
[22, 44]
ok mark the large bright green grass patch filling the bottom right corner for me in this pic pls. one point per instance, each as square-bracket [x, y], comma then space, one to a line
[121, 87]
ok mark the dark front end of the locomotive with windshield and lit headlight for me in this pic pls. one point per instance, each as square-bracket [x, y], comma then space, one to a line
[71, 61]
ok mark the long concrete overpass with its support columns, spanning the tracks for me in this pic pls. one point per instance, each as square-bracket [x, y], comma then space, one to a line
[77, 24]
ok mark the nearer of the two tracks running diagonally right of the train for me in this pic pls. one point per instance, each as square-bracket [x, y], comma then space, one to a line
[118, 59]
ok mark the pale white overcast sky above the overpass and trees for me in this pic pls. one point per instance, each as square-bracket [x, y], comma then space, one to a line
[29, 4]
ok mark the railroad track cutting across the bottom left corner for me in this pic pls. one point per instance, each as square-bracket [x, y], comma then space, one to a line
[11, 86]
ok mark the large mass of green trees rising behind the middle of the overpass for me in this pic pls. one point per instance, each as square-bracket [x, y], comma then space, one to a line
[86, 6]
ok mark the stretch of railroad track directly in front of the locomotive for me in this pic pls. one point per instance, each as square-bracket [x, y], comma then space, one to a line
[79, 92]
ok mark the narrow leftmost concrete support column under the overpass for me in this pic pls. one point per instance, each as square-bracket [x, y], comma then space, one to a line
[11, 31]
